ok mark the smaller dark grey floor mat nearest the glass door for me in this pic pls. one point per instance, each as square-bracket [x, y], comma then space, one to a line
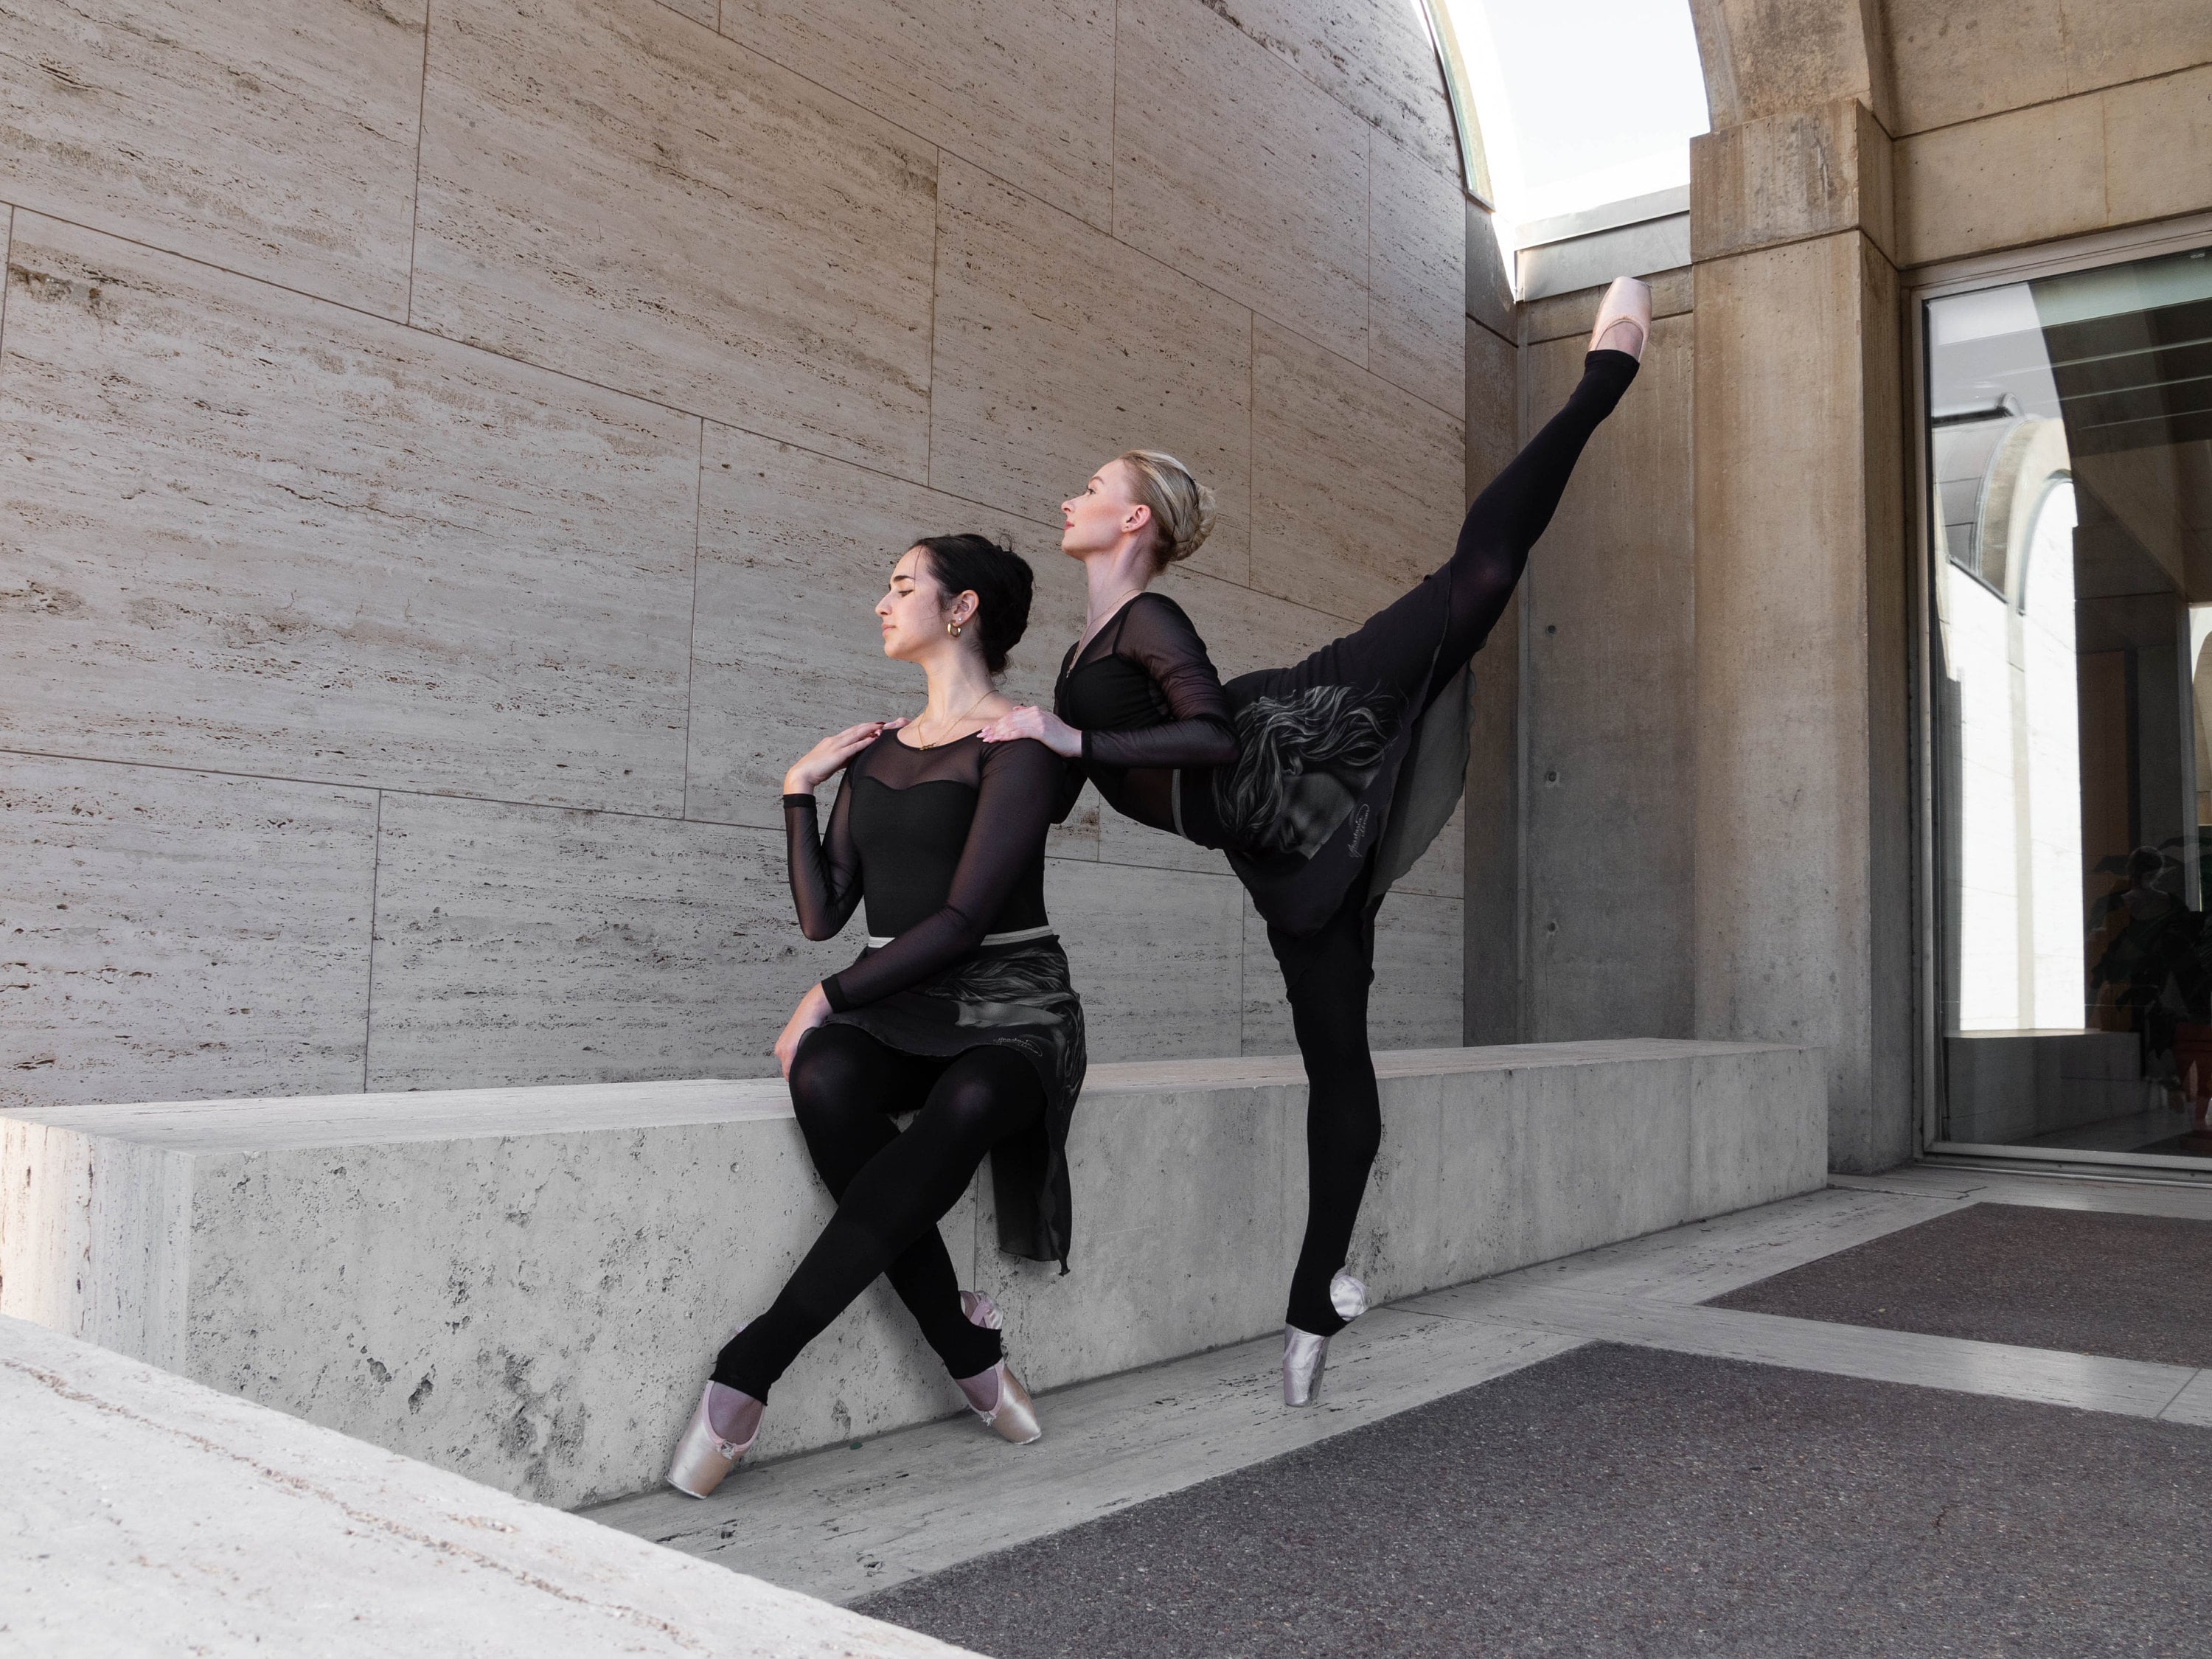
[2131, 1286]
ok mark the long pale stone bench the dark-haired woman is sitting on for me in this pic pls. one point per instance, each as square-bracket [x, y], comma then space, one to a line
[528, 1284]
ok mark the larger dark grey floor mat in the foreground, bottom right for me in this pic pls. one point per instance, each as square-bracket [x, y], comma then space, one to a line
[1638, 1503]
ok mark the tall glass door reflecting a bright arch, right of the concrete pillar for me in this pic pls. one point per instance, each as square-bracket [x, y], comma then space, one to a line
[2069, 468]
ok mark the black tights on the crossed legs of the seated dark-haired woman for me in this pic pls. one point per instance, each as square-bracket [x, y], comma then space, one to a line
[893, 1189]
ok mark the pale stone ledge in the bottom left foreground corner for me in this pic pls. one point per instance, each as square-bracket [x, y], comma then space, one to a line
[158, 1516]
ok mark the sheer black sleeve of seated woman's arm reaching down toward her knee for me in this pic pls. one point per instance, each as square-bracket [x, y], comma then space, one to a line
[1014, 808]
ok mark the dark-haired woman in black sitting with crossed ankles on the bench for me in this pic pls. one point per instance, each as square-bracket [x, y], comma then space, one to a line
[959, 1010]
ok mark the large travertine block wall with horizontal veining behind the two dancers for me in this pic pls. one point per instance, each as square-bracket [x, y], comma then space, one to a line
[450, 455]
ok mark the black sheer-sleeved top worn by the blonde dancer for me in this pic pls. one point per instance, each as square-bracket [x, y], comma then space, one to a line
[1147, 700]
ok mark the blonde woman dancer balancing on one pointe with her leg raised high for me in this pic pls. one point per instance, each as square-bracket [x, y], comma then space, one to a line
[1324, 782]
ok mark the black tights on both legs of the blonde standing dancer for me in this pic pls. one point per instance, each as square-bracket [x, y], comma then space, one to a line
[1328, 972]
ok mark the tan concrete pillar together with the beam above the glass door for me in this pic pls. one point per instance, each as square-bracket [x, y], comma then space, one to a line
[1853, 145]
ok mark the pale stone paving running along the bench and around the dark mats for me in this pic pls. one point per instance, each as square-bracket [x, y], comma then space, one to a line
[853, 1525]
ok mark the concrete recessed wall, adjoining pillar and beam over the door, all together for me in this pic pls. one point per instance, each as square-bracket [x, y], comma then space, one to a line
[1693, 778]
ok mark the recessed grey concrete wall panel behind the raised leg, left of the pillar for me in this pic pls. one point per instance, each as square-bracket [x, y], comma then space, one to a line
[1580, 815]
